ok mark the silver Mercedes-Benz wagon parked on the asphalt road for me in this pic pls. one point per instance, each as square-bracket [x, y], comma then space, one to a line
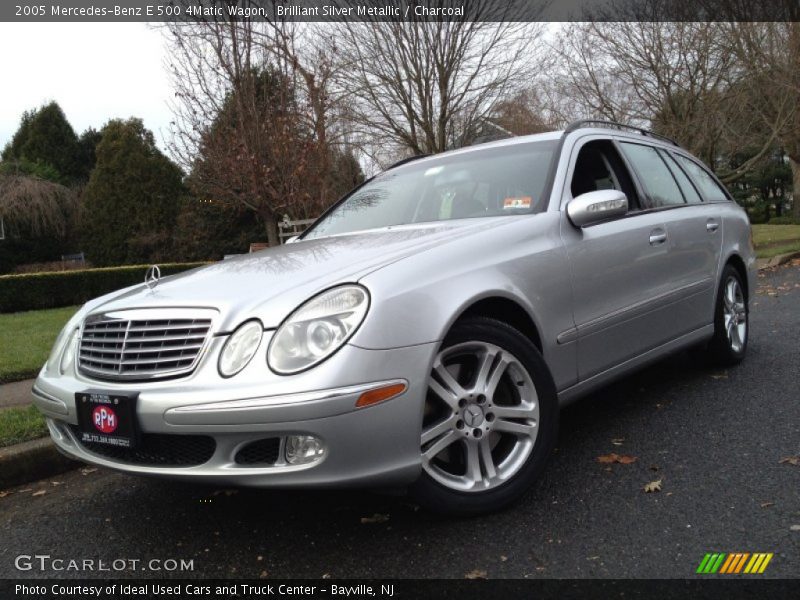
[423, 332]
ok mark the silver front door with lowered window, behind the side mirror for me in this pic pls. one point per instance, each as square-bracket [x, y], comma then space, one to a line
[621, 291]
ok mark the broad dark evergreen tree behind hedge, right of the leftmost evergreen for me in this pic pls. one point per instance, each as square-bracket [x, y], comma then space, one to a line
[132, 199]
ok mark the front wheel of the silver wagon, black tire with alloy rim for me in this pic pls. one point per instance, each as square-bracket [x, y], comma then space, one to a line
[490, 422]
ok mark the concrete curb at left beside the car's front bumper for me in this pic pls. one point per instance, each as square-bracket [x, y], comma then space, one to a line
[30, 461]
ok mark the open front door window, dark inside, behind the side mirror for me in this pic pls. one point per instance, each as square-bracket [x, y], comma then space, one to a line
[599, 167]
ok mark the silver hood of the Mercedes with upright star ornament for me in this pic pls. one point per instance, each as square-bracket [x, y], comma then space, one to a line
[270, 284]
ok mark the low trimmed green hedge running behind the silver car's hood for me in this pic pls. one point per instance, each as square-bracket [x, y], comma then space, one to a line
[34, 291]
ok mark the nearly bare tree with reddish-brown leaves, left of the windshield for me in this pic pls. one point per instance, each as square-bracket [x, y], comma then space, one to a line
[274, 152]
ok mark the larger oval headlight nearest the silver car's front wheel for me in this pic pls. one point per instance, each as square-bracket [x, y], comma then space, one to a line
[317, 329]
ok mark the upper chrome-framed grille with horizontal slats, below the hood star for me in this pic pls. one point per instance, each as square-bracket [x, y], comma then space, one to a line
[145, 344]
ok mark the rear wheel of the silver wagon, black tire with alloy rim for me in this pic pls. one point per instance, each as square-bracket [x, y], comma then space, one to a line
[731, 320]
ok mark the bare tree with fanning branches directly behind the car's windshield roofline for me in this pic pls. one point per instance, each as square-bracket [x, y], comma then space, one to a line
[425, 86]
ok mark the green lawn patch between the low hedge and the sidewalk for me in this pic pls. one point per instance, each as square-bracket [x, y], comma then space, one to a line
[26, 339]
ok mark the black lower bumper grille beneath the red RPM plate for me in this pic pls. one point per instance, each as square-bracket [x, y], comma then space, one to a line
[156, 450]
